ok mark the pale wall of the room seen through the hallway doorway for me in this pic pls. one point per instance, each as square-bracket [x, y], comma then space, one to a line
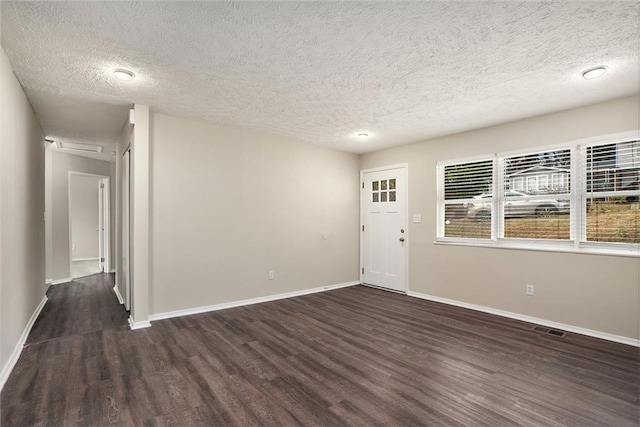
[85, 194]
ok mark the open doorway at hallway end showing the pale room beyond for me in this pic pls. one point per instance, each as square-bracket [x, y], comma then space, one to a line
[89, 224]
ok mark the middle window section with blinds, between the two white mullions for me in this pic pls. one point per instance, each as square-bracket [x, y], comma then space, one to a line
[536, 200]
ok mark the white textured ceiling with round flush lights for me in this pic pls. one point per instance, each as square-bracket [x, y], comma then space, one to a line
[318, 72]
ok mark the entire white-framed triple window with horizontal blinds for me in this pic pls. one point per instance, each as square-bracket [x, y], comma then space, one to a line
[583, 196]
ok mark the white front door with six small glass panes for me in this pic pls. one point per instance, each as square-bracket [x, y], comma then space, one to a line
[384, 227]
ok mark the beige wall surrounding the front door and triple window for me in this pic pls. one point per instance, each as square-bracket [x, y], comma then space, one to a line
[589, 291]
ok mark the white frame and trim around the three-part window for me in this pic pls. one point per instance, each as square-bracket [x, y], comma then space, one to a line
[578, 196]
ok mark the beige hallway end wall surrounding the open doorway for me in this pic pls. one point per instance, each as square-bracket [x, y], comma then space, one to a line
[62, 163]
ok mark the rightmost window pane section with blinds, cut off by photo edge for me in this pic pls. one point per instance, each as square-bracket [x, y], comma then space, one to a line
[612, 192]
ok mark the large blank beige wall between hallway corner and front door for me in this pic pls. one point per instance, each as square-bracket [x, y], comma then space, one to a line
[229, 205]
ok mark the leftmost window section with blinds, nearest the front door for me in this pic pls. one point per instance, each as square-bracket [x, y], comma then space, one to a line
[466, 203]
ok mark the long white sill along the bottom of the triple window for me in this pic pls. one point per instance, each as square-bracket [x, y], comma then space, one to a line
[562, 247]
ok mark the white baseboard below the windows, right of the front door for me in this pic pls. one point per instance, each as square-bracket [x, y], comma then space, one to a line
[529, 319]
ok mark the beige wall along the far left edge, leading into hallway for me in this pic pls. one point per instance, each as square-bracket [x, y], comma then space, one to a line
[22, 238]
